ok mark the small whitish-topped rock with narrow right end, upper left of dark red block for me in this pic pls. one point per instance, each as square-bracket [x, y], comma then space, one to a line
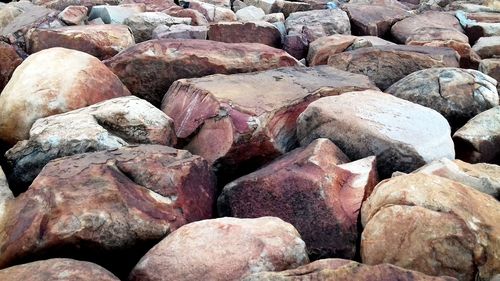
[143, 24]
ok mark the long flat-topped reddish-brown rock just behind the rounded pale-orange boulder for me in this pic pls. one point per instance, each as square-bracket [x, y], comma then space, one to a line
[101, 41]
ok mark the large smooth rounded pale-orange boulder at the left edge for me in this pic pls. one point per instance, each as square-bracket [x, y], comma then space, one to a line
[68, 80]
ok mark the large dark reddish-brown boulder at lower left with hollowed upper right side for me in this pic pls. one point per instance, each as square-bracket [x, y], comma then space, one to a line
[107, 207]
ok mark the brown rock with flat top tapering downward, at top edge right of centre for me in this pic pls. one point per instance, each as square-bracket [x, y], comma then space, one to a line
[373, 19]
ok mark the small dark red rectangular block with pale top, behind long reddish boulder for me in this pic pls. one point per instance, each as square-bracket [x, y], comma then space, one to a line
[247, 32]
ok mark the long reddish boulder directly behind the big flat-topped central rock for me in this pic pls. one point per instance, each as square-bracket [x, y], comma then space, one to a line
[149, 68]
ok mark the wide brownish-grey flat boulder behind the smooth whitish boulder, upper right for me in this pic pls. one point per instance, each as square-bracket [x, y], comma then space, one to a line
[385, 65]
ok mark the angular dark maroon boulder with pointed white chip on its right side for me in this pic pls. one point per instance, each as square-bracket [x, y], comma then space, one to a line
[310, 189]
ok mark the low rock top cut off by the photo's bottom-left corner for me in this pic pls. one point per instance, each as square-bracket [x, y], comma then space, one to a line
[57, 270]
